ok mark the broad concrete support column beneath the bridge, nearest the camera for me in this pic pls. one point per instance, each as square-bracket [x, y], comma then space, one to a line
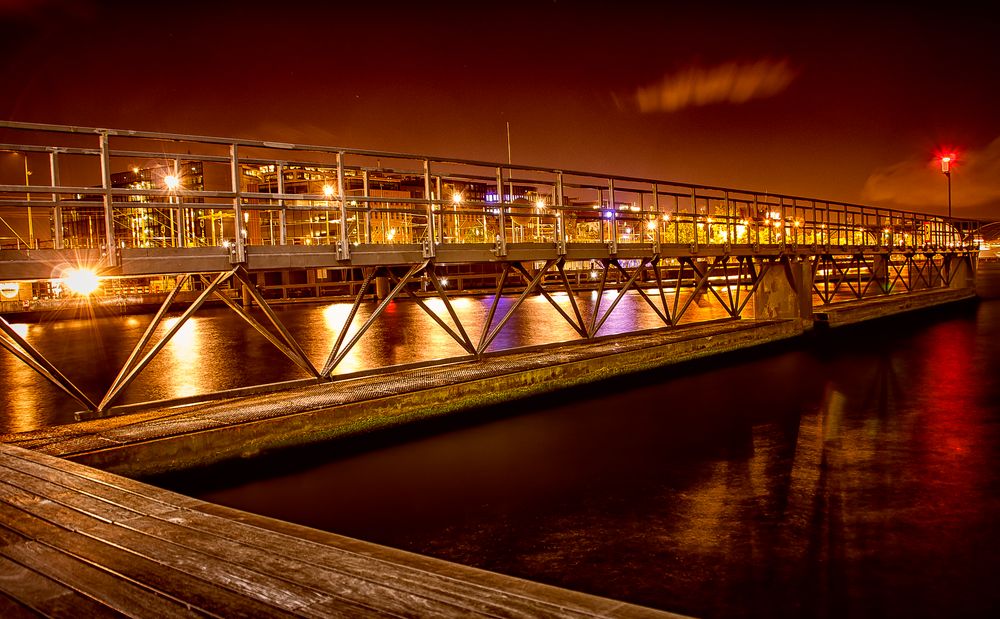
[785, 291]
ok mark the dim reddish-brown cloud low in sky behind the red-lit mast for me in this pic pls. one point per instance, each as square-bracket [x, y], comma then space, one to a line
[918, 184]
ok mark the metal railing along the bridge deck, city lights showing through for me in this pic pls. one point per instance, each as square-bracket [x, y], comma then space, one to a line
[115, 190]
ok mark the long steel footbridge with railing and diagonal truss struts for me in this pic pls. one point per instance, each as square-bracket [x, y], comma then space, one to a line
[209, 215]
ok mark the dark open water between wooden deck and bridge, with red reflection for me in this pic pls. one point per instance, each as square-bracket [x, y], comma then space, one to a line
[850, 475]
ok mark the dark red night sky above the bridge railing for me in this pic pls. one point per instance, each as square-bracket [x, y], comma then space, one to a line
[848, 104]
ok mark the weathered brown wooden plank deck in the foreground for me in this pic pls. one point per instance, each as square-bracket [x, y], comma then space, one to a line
[77, 541]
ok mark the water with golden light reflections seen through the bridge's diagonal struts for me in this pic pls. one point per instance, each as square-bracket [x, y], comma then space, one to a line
[217, 350]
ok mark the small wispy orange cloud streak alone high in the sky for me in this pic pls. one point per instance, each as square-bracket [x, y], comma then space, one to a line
[731, 82]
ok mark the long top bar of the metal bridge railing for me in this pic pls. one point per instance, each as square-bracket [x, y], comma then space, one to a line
[129, 133]
